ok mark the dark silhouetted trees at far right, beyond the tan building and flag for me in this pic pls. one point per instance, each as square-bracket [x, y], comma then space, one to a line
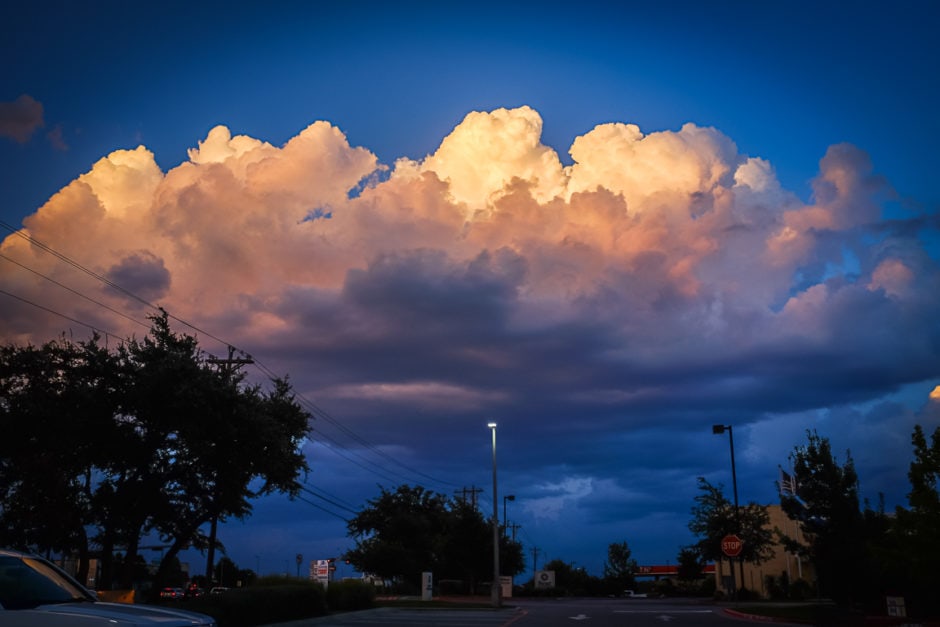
[861, 552]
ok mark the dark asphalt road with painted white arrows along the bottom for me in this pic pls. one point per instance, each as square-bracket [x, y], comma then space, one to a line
[540, 613]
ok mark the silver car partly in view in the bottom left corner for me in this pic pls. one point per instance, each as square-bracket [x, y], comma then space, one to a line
[34, 592]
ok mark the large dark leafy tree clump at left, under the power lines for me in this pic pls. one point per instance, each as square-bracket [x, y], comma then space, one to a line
[103, 448]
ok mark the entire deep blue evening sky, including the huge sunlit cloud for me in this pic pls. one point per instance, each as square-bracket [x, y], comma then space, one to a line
[604, 228]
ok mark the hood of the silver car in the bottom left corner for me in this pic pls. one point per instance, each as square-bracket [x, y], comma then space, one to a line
[125, 614]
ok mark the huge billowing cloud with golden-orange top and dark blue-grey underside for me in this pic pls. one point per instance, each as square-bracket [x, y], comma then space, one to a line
[661, 276]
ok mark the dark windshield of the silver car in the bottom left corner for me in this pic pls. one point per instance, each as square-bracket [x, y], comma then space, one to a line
[27, 582]
